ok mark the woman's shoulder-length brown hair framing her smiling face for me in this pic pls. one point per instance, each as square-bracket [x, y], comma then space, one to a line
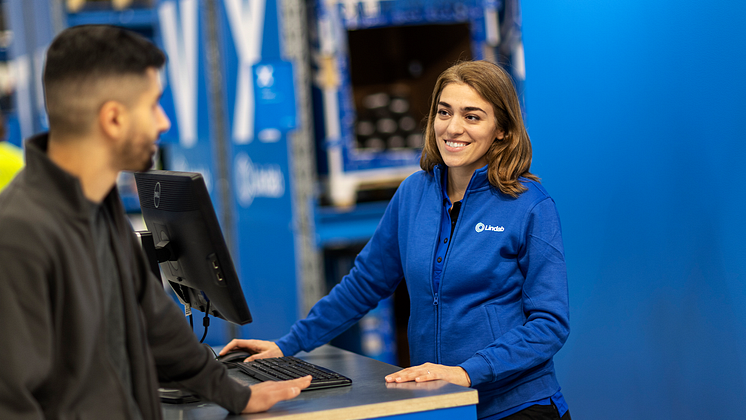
[508, 158]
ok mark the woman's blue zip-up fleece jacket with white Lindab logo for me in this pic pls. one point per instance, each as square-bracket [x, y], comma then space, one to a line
[502, 309]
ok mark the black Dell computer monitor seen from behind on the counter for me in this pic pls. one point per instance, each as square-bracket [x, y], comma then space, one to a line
[189, 244]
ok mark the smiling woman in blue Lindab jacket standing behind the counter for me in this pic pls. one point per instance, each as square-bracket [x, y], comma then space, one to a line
[478, 240]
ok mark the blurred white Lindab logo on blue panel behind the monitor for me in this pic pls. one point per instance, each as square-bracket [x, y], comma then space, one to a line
[253, 180]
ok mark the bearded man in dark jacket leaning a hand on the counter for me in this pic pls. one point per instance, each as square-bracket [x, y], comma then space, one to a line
[87, 331]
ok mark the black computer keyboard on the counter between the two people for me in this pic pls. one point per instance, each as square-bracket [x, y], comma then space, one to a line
[288, 367]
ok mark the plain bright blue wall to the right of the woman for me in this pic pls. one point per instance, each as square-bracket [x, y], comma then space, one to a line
[637, 113]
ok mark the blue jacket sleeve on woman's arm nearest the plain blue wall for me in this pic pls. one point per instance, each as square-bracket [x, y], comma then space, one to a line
[545, 305]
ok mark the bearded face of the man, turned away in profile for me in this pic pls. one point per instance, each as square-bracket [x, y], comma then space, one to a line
[146, 123]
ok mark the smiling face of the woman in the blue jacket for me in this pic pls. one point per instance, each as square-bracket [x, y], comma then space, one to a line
[464, 127]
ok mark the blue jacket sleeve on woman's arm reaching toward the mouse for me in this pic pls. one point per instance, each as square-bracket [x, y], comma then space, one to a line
[375, 274]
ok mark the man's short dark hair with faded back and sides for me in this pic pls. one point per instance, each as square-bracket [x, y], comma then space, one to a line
[82, 56]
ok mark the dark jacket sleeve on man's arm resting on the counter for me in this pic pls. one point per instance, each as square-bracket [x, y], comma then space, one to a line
[179, 357]
